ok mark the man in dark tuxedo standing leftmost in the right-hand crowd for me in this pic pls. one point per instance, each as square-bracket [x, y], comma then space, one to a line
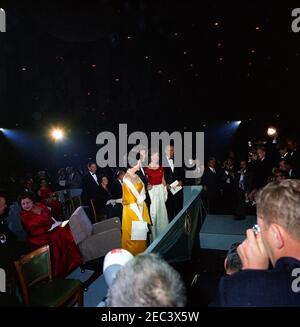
[211, 181]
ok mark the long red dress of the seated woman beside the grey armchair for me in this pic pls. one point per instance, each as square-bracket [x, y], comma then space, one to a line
[64, 251]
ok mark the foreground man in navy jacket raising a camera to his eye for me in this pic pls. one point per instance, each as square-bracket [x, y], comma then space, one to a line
[278, 216]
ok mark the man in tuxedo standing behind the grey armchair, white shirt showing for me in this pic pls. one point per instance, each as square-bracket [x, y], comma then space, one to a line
[90, 186]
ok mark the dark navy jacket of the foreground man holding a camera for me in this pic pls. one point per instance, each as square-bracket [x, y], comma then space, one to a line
[250, 288]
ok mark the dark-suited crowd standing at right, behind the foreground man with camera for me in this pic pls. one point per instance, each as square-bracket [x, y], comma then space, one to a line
[230, 186]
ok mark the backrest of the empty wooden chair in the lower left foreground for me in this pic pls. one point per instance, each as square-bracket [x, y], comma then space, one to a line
[33, 268]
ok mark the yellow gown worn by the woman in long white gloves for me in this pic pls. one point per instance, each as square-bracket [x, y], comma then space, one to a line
[134, 247]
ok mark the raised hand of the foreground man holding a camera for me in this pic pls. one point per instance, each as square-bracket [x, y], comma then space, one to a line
[252, 252]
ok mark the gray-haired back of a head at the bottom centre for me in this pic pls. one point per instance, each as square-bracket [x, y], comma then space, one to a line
[147, 281]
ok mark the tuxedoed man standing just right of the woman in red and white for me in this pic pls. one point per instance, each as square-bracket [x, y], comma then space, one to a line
[171, 173]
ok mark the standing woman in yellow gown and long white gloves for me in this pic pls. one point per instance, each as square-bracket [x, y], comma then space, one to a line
[134, 210]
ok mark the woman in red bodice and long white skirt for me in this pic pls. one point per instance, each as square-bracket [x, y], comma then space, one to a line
[158, 194]
